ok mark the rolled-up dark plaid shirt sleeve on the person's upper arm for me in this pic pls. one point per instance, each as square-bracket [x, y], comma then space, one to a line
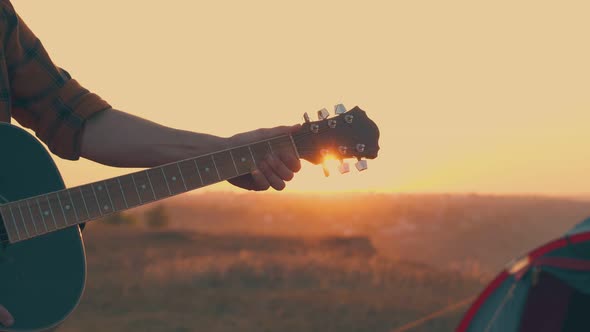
[37, 93]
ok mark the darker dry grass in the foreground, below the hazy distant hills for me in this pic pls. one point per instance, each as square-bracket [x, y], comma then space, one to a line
[169, 281]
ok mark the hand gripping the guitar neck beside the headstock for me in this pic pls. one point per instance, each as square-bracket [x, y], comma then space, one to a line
[276, 168]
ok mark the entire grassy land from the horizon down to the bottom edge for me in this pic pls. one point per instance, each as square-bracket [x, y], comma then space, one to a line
[272, 263]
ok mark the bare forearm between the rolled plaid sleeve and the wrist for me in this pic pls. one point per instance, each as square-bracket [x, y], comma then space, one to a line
[119, 139]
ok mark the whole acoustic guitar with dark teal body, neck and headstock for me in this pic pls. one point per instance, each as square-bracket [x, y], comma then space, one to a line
[42, 259]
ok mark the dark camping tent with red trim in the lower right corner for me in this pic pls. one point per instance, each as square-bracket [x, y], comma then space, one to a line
[546, 290]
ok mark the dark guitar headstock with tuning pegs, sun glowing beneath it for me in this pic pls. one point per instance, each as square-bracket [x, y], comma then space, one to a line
[350, 134]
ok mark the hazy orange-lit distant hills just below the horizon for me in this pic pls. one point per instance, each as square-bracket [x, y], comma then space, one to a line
[475, 234]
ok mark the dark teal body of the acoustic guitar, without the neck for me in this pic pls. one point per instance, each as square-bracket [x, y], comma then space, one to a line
[41, 279]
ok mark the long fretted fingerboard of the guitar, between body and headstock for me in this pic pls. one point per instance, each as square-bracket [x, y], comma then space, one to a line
[35, 216]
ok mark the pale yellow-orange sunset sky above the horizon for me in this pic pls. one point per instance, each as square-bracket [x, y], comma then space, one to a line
[469, 96]
